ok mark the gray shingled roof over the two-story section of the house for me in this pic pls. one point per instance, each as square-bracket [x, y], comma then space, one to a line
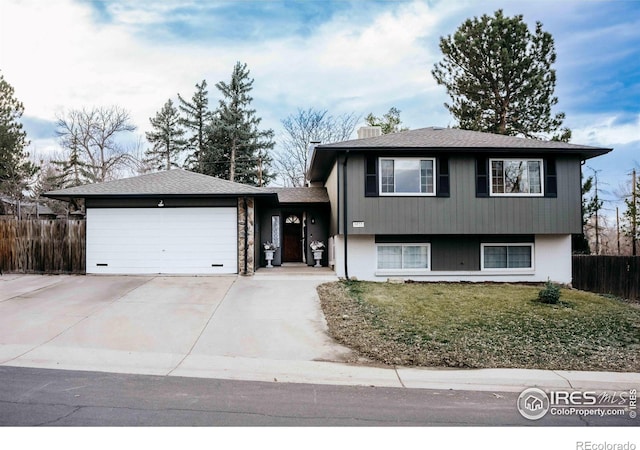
[451, 140]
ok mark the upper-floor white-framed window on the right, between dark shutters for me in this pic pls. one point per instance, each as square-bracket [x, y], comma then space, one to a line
[516, 177]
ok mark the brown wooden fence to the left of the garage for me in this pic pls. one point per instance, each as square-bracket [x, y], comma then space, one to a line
[42, 246]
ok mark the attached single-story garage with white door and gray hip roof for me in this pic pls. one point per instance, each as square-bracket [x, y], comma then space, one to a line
[172, 222]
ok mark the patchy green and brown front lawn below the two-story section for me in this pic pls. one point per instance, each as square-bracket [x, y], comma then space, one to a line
[482, 325]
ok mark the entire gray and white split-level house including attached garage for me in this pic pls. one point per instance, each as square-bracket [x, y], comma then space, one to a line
[427, 204]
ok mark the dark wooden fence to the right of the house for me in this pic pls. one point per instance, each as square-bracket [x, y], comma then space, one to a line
[616, 275]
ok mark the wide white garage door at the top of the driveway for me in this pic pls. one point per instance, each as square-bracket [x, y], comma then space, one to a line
[162, 240]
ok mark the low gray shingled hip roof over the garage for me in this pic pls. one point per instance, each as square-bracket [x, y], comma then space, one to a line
[176, 182]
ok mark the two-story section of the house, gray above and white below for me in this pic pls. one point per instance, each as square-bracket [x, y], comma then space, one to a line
[453, 205]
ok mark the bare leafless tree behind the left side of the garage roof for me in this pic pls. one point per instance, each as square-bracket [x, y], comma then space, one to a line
[94, 134]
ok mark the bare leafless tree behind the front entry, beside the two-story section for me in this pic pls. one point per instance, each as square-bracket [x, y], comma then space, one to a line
[300, 130]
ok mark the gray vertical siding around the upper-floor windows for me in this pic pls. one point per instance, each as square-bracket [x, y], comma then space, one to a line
[463, 212]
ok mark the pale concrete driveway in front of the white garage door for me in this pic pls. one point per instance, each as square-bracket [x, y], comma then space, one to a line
[159, 325]
